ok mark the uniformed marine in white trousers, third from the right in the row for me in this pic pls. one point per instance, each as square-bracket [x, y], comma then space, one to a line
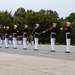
[35, 34]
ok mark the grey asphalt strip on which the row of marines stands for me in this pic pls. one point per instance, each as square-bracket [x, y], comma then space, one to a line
[43, 51]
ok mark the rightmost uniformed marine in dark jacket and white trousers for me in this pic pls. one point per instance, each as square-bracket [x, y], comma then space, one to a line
[67, 31]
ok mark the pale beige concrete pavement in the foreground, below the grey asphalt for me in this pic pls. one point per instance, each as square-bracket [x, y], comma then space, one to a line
[15, 64]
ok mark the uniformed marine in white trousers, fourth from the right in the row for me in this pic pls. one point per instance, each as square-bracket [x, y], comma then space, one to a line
[25, 32]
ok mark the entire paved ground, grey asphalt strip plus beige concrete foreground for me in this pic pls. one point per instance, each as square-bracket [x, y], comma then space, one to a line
[41, 62]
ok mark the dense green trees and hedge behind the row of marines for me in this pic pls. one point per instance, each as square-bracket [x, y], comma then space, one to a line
[44, 17]
